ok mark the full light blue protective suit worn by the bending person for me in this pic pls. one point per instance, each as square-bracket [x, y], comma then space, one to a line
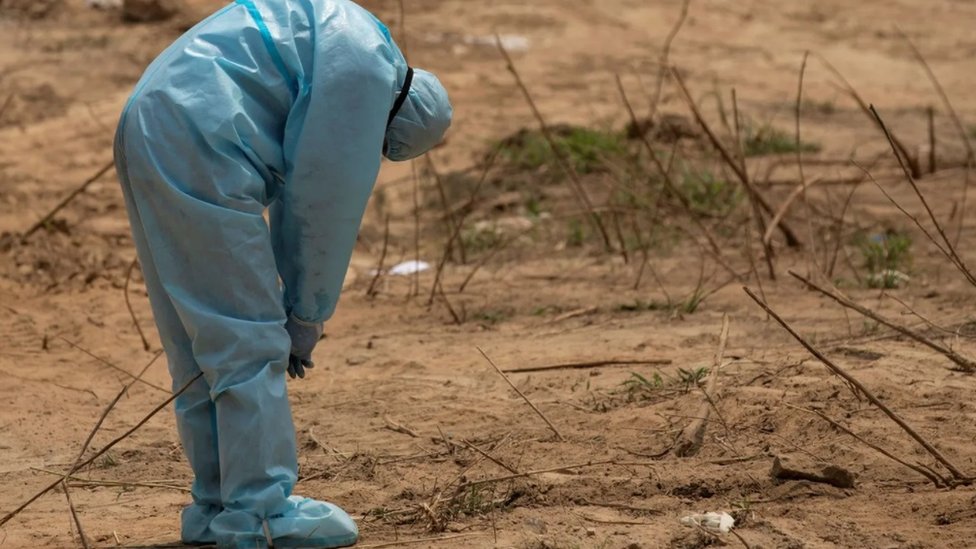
[267, 104]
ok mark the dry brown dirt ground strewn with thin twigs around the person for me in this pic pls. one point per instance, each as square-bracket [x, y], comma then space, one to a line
[387, 422]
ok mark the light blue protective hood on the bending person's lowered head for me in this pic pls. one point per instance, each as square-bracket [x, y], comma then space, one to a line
[421, 122]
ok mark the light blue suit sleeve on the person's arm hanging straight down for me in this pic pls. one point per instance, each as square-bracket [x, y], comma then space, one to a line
[333, 148]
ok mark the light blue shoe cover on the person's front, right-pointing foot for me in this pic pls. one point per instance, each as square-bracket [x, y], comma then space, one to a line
[312, 524]
